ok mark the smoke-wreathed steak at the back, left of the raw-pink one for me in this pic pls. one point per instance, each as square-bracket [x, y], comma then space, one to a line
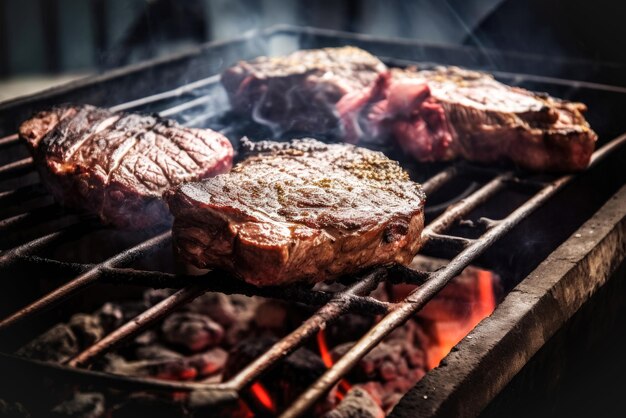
[298, 92]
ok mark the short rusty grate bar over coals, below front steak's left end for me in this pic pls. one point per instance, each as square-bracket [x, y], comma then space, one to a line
[138, 324]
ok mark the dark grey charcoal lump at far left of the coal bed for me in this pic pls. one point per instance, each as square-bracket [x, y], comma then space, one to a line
[57, 345]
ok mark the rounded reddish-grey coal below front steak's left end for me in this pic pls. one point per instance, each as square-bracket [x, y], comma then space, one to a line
[193, 331]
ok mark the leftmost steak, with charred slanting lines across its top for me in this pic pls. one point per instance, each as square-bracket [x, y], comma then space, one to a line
[117, 165]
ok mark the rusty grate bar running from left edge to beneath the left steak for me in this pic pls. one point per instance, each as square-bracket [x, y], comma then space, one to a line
[86, 279]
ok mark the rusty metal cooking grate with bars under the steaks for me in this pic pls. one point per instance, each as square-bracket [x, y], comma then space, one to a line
[330, 305]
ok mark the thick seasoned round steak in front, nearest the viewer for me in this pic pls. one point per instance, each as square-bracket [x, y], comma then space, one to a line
[299, 211]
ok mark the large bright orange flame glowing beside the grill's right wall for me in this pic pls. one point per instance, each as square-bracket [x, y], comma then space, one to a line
[446, 334]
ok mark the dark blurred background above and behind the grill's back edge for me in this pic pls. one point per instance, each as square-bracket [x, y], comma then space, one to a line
[47, 41]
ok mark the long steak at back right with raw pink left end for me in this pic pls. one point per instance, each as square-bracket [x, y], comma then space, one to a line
[448, 112]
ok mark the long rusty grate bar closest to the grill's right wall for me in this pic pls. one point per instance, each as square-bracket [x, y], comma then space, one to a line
[420, 296]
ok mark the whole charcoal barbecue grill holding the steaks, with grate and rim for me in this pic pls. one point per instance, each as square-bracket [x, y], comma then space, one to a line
[469, 222]
